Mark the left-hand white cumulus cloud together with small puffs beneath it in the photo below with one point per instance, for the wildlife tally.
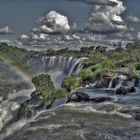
(53, 23)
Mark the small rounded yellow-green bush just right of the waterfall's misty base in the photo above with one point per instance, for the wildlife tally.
(70, 83)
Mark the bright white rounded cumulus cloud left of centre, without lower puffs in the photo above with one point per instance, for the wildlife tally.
(54, 22)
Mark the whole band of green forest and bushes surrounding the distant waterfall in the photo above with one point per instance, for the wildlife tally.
(98, 63)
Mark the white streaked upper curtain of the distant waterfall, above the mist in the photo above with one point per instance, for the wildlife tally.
(69, 65)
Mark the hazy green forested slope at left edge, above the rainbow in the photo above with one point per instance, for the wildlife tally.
(16, 57)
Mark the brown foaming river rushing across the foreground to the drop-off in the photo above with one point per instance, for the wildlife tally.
(111, 120)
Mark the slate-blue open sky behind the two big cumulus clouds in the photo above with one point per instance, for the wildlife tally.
(21, 15)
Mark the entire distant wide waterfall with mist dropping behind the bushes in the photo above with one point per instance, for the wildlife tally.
(57, 66)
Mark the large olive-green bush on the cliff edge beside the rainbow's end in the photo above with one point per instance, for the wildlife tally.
(46, 90)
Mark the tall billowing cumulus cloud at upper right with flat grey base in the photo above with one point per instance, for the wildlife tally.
(107, 18)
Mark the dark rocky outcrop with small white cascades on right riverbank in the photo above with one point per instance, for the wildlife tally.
(118, 80)
